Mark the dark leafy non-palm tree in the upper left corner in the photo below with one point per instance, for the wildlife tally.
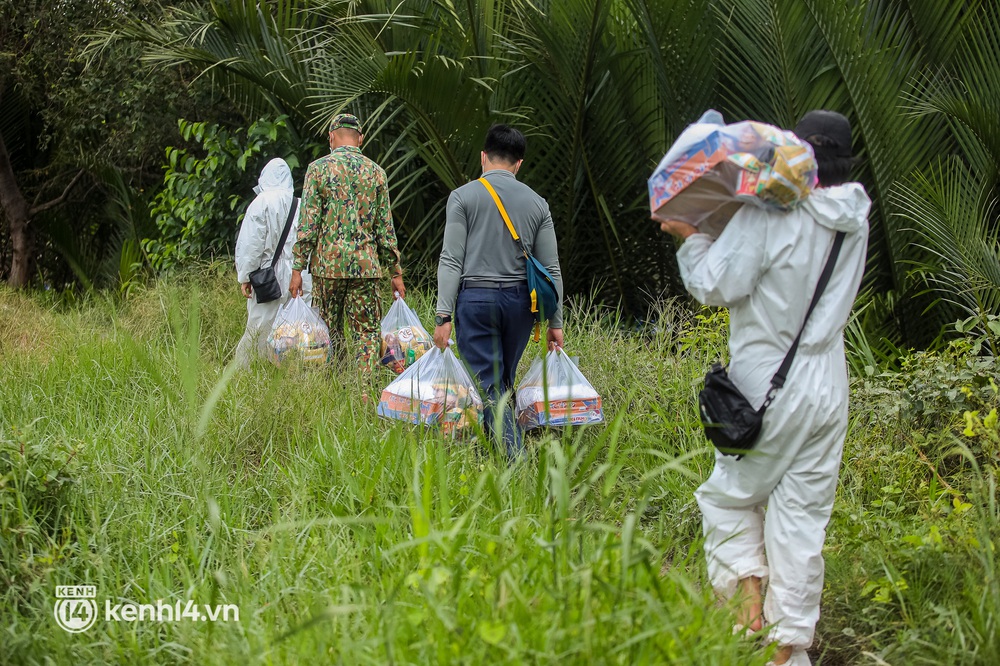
(85, 137)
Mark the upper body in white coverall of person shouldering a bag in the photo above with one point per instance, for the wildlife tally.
(776, 262)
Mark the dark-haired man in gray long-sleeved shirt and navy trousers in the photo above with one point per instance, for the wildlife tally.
(482, 275)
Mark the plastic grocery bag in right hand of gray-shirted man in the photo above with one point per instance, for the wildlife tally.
(557, 394)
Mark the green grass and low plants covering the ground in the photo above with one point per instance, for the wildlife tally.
(133, 459)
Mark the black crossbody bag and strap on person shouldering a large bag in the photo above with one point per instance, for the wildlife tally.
(730, 421)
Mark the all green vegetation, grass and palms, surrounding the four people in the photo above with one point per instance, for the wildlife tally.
(134, 459)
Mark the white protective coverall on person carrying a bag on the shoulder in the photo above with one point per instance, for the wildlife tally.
(764, 267)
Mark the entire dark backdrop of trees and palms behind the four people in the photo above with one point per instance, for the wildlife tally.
(601, 87)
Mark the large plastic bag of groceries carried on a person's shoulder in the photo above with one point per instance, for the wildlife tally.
(713, 168)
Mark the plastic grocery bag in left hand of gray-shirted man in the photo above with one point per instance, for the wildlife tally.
(436, 390)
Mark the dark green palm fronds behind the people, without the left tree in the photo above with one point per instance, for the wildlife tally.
(603, 86)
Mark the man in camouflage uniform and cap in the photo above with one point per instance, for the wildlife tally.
(346, 239)
